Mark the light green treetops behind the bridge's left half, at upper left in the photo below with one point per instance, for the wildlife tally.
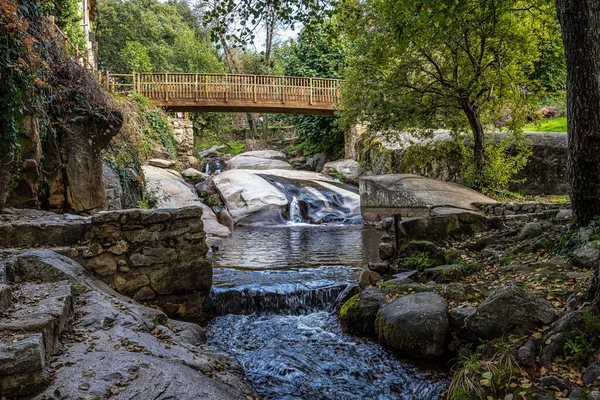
(152, 35)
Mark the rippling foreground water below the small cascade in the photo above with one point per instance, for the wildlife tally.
(309, 357)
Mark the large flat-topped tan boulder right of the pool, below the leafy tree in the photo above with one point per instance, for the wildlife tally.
(414, 196)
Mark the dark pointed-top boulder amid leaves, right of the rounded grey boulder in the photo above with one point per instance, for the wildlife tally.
(509, 310)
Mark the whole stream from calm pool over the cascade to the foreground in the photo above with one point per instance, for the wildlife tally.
(274, 289)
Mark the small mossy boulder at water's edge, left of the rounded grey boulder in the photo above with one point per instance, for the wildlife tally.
(359, 312)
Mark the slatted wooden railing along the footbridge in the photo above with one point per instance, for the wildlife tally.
(173, 87)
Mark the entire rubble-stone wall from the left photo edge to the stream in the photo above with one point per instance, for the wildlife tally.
(154, 256)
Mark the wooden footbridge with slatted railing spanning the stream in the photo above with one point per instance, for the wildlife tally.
(231, 93)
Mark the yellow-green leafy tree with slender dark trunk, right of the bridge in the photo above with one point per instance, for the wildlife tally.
(438, 64)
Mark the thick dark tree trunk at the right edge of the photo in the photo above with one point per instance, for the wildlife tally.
(580, 22)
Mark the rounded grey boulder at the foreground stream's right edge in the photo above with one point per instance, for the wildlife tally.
(415, 325)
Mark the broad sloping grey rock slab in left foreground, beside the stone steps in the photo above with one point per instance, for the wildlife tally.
(132, 351)
